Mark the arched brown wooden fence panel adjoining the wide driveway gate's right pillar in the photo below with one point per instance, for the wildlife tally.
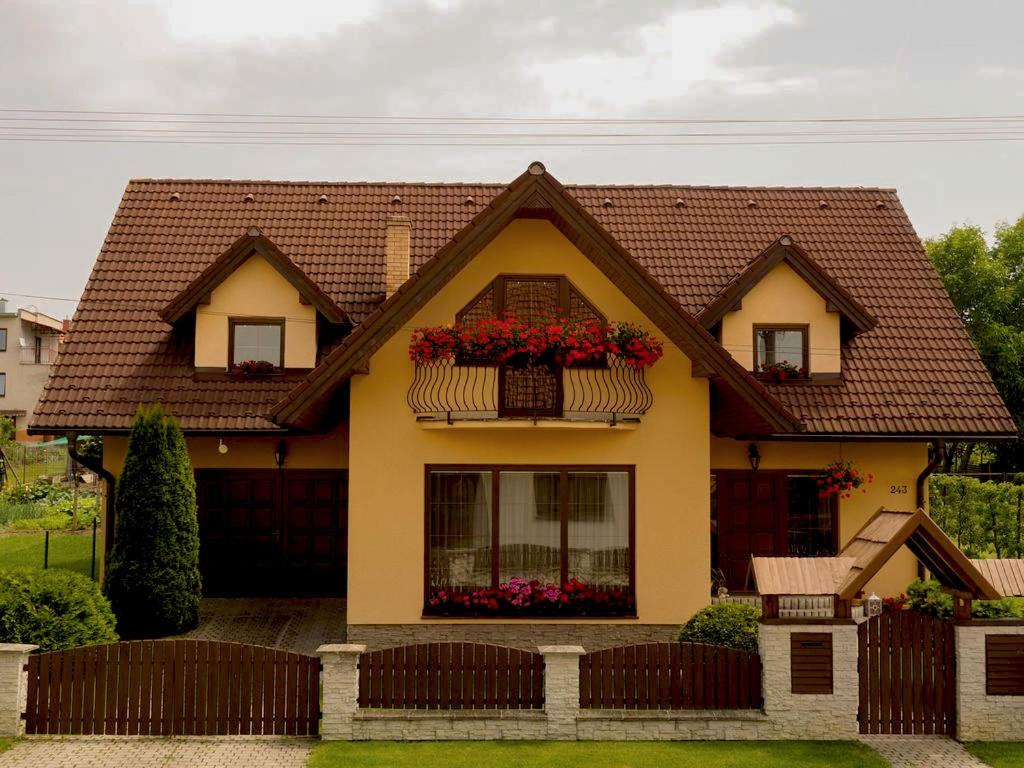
(452, 676)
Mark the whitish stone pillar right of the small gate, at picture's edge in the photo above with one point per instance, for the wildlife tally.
(982, 717)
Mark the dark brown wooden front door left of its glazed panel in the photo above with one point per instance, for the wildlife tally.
(752, 519)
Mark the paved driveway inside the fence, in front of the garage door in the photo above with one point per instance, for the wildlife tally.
(302, 625)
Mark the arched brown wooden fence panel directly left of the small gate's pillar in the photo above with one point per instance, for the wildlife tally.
(670, 676)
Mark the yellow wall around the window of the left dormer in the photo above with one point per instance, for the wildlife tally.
(255, 290)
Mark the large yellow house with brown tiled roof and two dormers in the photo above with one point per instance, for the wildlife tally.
(349, 470)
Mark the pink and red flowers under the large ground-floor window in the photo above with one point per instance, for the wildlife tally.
(531, 599)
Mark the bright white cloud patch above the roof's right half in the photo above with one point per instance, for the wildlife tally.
(662, 62)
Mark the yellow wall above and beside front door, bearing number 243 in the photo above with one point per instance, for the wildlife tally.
(895, 466)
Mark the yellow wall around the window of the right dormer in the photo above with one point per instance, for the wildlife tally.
(784, 297)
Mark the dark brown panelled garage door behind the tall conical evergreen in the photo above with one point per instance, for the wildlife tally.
(273, 532)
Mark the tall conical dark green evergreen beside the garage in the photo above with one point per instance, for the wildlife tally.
(153, 576)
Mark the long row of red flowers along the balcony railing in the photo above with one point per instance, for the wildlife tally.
(511, 342)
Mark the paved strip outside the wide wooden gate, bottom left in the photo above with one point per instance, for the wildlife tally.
(140, 752)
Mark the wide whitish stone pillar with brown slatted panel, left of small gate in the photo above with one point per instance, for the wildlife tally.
(818, 716)
